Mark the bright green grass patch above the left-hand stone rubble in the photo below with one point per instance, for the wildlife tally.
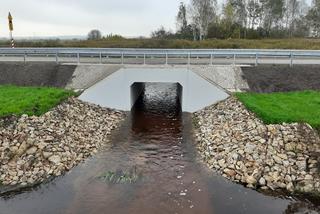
(16, 100)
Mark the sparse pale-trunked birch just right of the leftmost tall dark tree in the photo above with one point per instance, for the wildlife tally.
(202, 14)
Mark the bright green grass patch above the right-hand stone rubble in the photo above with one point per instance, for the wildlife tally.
(288, 107)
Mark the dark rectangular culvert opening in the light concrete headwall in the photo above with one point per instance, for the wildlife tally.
(157, 98)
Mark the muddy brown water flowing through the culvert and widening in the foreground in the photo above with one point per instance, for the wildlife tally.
(156, 142)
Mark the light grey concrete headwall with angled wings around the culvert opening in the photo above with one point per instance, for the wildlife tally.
(115, 92)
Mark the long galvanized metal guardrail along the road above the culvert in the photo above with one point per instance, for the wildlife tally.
(188, 54)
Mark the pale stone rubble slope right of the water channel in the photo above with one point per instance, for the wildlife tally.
(232, 141)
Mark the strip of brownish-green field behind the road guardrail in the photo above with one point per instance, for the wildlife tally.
(310, 44)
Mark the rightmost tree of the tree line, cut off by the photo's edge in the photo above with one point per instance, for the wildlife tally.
(314, 17)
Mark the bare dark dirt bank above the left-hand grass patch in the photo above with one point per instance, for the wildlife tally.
(36, 74)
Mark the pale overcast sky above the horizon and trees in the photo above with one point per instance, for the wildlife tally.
(77, 17)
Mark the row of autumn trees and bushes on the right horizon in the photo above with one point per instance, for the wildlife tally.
(248, 19)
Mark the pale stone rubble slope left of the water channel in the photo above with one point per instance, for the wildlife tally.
(33, 149)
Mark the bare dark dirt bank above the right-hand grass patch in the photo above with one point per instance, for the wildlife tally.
(282, 78)
